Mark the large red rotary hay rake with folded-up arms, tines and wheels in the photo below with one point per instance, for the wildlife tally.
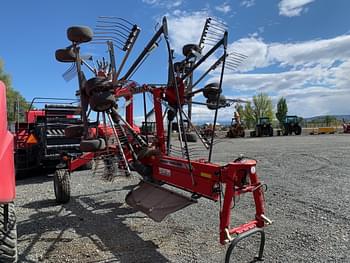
(159, 162)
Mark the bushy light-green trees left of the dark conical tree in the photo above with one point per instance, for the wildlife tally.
(260, 107)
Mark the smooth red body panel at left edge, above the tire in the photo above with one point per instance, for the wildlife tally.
(7, 173)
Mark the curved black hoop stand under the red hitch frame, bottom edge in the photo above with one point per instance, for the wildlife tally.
(244, 235)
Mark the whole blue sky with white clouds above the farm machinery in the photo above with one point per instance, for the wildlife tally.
(299, 49)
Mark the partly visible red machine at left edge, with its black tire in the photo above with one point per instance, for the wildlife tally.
(8, 233)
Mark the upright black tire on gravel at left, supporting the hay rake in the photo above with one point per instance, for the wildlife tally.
(61, 184)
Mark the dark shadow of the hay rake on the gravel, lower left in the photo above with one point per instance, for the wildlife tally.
(87, 229)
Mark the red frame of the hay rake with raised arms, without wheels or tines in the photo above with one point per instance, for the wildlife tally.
(200, 177)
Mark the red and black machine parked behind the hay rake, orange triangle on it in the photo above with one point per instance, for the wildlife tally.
(40, 140)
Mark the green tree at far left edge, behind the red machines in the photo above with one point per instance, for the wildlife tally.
(13, 97)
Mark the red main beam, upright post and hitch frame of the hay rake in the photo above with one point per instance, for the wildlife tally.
(207, 179)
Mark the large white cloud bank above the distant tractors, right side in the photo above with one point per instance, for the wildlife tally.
(312, 75)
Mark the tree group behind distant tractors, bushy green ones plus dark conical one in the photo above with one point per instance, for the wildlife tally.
(261, 106)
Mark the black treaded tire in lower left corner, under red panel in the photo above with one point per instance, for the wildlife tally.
(8, 237)
